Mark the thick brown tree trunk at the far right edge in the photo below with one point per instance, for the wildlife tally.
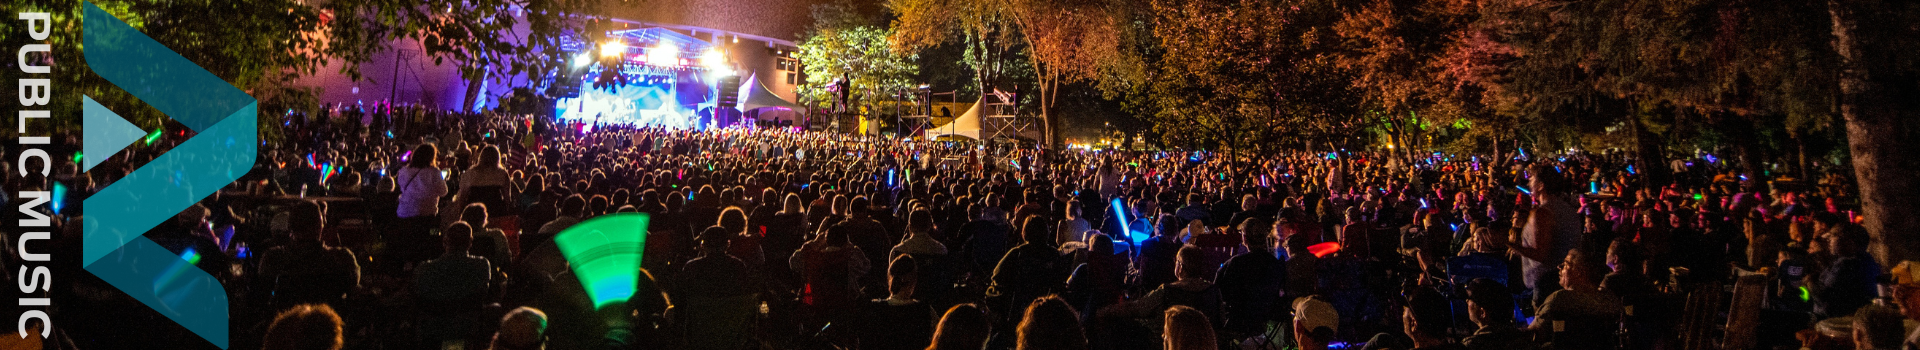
(1877, 103)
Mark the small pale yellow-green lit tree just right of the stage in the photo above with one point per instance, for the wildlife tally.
(842, 45)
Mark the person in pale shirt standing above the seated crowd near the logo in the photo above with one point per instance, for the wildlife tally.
(421, 184)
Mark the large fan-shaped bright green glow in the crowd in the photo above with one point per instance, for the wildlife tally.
(606, 255)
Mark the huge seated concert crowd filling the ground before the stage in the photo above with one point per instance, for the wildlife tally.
(444, 237)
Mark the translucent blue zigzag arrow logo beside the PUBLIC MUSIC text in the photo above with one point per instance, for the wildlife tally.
(224, 149)
